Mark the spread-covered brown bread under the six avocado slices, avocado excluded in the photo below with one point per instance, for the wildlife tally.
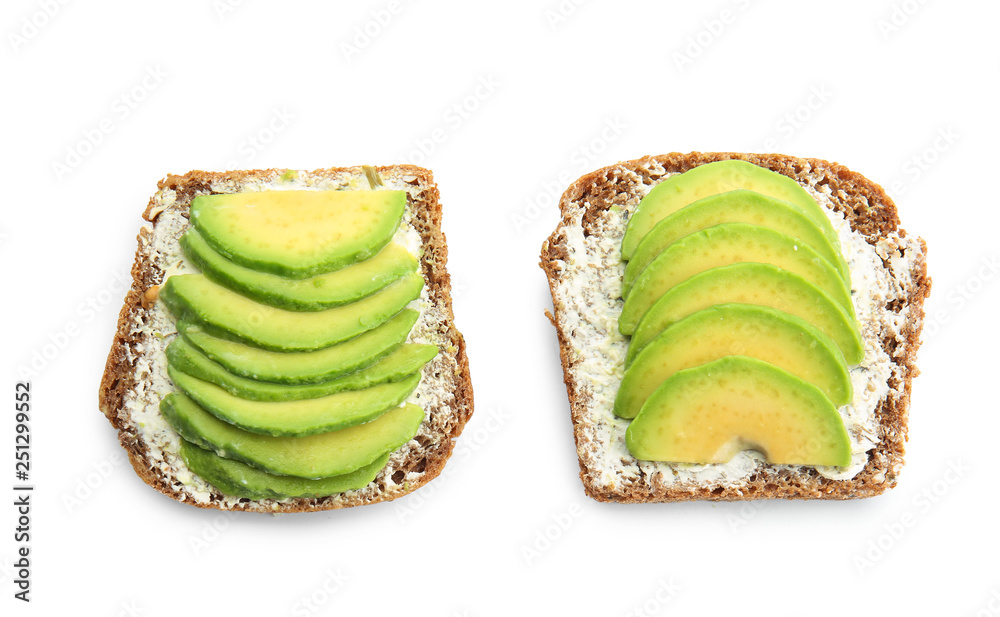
(582, 260)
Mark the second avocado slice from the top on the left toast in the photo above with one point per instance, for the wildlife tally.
(348, 284)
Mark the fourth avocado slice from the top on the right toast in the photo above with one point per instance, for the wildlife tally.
(752, 283)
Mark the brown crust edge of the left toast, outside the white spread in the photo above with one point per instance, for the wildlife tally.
(418, 462)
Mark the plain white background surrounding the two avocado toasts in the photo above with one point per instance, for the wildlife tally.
(122, 93)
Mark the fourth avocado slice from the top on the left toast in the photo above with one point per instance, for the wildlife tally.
(305, 366)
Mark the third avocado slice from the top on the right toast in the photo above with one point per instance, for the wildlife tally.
(723, 245)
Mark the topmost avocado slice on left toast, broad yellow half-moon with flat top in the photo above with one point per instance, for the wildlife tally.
(298, 234)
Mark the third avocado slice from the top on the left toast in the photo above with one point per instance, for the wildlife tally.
(227, 314)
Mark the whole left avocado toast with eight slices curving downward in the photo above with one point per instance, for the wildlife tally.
(288, 342)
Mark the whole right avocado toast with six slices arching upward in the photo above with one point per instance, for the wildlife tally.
(735, 326)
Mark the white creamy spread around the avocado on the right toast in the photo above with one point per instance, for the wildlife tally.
(589, 287)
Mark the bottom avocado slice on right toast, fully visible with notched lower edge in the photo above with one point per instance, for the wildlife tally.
(709, 413)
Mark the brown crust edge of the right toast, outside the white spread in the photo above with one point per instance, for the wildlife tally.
(869, 211)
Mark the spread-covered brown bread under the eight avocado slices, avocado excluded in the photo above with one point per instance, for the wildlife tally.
(135, 378)
